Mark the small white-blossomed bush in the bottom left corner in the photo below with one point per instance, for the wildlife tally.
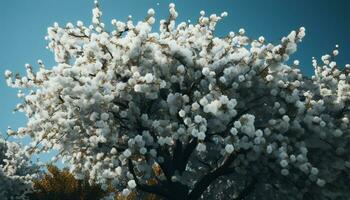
(16, 171)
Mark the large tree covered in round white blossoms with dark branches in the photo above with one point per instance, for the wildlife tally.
(213, 113)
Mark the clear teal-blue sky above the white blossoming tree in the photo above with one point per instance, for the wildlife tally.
(23, 25)
